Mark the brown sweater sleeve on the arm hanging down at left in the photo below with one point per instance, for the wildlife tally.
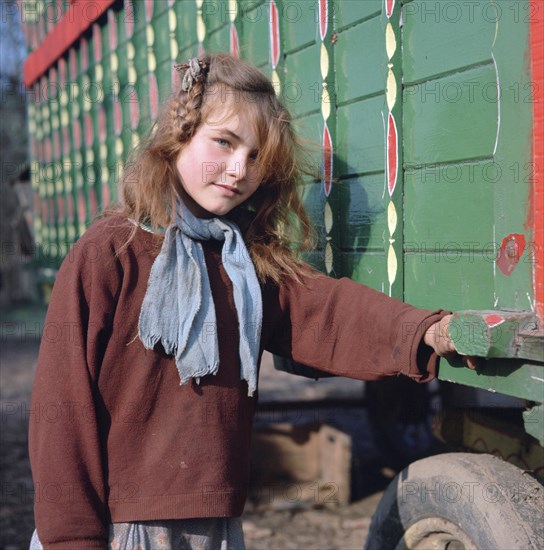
(65, 445)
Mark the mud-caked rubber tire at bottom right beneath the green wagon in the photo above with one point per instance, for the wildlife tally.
(460, 501)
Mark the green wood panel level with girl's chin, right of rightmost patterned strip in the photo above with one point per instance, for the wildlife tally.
(459, 194)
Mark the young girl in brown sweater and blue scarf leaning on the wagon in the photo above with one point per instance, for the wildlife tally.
(144, 397)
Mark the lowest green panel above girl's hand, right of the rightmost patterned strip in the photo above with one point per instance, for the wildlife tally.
(438, 275)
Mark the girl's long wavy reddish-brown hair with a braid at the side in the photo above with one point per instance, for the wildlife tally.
(274, 223)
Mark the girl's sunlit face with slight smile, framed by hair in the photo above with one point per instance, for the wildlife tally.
(218, 168)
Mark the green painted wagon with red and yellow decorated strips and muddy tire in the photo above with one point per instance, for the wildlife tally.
(429, 117)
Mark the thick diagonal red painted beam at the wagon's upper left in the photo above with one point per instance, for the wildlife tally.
(77, 19)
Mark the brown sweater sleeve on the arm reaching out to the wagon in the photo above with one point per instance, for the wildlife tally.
(347, 329)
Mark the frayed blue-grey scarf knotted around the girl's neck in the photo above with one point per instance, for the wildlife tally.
(178, 309)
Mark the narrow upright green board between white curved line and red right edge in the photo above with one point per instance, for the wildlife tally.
(514, 150)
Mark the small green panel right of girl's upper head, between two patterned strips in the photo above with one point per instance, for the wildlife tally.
(301, 82)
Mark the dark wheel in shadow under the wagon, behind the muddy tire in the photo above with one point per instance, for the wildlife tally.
(400, 413)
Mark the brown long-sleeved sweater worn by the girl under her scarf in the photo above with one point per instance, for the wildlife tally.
(113, 435)
